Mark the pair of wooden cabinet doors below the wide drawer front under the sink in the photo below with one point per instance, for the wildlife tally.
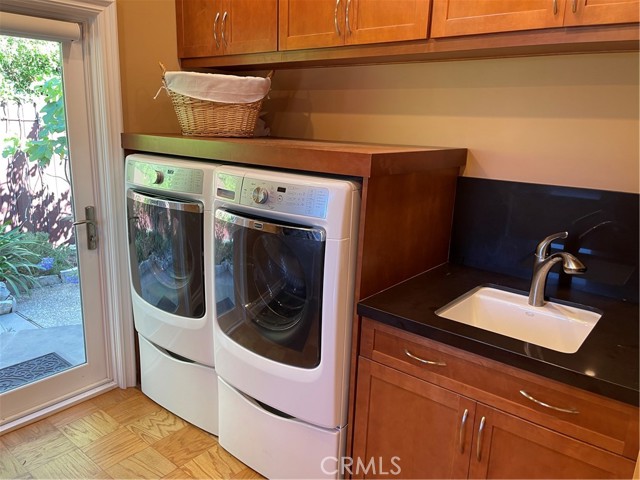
(409, 427)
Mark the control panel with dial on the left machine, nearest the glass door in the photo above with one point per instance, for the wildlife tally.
(164, 177)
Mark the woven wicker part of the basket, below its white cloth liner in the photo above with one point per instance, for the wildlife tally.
(212, 119)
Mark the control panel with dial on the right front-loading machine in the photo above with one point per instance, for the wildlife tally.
(306, 200)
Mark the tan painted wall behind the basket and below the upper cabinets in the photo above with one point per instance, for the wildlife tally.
(563, 120)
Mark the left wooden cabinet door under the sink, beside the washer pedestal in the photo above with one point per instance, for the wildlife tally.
(408, 428)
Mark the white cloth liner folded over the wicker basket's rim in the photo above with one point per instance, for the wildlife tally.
(218, 88)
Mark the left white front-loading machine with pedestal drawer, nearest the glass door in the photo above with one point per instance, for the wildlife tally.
(170, 225)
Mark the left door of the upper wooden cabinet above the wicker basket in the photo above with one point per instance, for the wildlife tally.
(195, 27)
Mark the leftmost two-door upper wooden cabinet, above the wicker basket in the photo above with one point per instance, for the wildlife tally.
(225, 27)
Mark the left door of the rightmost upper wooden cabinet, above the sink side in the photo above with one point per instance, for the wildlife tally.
(467, 17)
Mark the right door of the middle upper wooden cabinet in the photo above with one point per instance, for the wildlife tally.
(377, 21)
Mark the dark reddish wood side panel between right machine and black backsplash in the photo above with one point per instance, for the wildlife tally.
(407, 228)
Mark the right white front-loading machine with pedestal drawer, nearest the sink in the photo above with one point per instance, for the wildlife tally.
(284, 255)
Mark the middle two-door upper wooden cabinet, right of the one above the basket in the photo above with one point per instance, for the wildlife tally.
(327, 23)
